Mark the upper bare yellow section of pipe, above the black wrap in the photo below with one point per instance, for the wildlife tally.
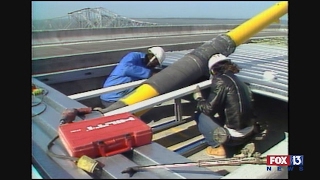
(247, 29)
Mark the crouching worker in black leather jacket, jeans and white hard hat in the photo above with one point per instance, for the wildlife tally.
(226, 117)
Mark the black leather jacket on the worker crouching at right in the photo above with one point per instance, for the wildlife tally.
(231, 99)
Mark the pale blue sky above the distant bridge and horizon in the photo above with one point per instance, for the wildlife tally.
(156, 9)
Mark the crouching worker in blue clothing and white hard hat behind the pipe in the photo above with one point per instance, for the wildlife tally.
(132, 67)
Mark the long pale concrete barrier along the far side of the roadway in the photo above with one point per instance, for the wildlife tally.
(86, 35)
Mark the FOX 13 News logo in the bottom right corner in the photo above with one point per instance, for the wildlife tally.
(293, 162)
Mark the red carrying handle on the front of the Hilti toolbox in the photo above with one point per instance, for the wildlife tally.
(127, 147)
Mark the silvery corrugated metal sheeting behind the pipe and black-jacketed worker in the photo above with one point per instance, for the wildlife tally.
(254, 60)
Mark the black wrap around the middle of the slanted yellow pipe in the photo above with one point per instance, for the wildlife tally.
(192, 66)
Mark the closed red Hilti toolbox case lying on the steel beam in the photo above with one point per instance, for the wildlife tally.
(104, 136)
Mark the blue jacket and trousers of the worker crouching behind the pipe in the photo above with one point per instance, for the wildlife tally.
(130, 68)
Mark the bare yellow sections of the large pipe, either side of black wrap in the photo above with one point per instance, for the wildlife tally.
(238, 35)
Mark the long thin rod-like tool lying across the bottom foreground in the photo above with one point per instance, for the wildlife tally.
(234, 161)
